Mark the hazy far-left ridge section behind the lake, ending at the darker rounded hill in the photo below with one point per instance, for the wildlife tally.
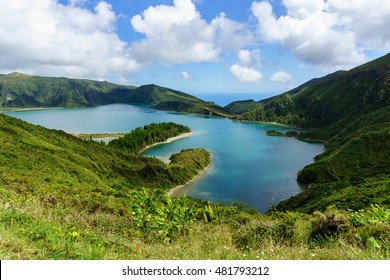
(23, 91)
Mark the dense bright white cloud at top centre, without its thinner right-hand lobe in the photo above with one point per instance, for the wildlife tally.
(174, 34)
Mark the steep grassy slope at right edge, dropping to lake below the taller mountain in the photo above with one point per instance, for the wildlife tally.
(360, 150)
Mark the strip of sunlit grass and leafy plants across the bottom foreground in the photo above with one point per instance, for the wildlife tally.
(158, 227)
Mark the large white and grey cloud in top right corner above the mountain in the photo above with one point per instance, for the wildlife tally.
(330, 34)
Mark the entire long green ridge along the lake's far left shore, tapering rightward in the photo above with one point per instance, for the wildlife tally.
(26, 91)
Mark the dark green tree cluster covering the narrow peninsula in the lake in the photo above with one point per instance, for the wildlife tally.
(140, 138)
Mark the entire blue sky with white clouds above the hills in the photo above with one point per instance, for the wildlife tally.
(253, 48)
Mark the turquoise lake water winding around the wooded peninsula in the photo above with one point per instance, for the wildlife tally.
(247, 165)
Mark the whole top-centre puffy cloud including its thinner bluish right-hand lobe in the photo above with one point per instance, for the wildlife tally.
(178, 34)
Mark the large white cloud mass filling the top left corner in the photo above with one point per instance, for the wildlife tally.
(45, 37)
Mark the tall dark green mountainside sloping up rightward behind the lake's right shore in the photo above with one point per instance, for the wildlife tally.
(325, 101)
